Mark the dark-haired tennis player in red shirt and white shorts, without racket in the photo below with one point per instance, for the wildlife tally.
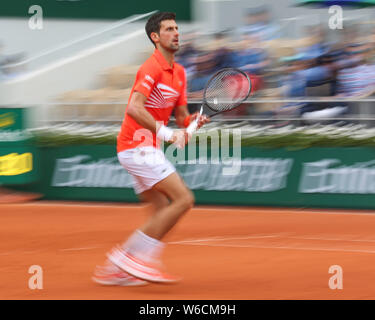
(159, 89)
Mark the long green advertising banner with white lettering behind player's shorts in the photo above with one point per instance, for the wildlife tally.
(314, 177)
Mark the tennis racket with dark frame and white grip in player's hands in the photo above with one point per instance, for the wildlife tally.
(225, 90)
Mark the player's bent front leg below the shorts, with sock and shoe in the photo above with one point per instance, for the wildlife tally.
(140, 254)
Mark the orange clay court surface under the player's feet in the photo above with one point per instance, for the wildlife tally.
(221, 253)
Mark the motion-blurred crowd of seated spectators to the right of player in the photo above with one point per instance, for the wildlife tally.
(312, 67)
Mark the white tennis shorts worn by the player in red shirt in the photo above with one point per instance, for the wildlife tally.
(147, 165)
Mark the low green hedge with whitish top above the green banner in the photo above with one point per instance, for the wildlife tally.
(251, 136)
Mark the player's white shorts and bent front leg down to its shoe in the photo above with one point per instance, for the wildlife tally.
(158, 183)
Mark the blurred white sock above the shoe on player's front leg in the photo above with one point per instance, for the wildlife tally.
(144, 247)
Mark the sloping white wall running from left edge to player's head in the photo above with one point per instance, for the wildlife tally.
(80, 70)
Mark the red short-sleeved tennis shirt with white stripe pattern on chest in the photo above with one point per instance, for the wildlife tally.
(165, 88)
